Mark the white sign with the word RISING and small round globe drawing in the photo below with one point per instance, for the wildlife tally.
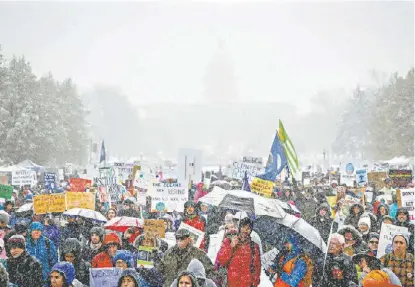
(167, 197)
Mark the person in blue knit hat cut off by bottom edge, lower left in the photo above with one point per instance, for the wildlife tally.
(62, 274)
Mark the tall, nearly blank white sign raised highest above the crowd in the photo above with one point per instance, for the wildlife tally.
(190, 165)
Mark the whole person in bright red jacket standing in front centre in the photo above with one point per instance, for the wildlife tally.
(241, 256)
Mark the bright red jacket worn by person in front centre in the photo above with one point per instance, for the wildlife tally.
(239, 264)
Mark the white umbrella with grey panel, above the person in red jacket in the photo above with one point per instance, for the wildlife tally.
(241, 200)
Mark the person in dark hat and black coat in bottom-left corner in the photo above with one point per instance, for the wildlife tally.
(24, 269)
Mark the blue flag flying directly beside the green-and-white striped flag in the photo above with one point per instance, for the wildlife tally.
(276, 161)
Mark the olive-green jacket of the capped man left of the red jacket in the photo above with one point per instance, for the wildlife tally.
(175, 260)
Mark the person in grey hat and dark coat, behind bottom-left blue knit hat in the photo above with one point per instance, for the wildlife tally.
(71, 252)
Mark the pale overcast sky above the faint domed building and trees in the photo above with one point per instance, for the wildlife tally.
(159, 52)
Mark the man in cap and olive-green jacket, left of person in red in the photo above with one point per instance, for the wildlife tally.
(177, 258)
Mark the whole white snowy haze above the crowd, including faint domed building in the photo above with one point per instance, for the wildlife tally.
(155, 77)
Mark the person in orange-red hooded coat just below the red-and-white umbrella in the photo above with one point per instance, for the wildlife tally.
(110, 245)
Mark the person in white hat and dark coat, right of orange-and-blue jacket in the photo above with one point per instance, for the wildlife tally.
(339, 269)
